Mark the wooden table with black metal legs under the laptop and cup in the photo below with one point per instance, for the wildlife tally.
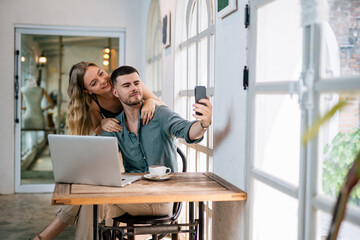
(189, 187)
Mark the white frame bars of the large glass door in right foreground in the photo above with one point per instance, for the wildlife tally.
(309, 201)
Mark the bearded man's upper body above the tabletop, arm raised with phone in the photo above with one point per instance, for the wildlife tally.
(154, 143)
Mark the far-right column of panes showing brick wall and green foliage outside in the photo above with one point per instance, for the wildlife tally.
(337, 142)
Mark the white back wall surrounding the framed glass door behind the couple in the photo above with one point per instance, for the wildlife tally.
(131, 15)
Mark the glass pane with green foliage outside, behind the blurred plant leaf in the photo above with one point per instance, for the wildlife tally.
(339, 142)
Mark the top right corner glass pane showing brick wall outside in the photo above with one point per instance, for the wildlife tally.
(342, 38)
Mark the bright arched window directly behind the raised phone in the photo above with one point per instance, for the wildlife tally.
(194, 66)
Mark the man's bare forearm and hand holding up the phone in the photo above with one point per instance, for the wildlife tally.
(198, 129)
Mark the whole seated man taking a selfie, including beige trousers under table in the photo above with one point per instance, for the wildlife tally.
(144, 145)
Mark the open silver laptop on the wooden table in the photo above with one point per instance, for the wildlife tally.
(87, 160)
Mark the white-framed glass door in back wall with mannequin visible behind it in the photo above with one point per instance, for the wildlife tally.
(44, 58)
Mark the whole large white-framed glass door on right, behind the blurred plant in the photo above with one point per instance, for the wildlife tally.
(301, 66)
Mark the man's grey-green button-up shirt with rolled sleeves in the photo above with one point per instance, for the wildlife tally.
(155, 142)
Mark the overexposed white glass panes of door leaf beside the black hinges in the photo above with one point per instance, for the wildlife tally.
(275, 119)
